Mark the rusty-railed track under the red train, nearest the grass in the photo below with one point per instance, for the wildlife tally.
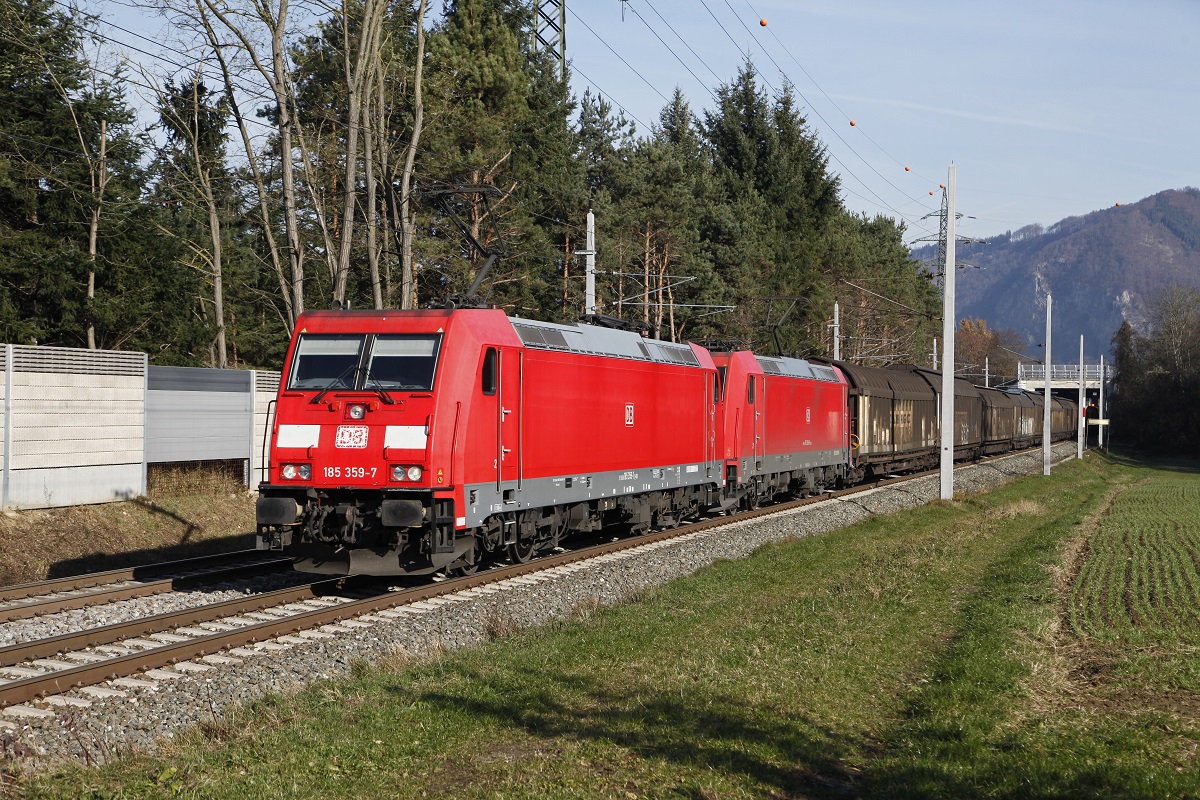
(197, 640)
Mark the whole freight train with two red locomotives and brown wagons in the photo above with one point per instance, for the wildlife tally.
(422, 442)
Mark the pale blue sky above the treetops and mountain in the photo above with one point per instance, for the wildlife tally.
(1048, 110)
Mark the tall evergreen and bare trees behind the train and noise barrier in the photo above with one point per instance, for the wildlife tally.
(377, 154)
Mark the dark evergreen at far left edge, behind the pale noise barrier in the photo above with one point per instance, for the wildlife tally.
(57, 119)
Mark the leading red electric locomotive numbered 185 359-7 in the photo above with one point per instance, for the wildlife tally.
(425, 441)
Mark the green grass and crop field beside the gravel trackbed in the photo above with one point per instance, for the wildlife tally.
(945, 653)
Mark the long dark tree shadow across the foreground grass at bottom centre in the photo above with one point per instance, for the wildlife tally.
(779, 755)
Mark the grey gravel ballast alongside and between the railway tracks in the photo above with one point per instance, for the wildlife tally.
(141, 717)
